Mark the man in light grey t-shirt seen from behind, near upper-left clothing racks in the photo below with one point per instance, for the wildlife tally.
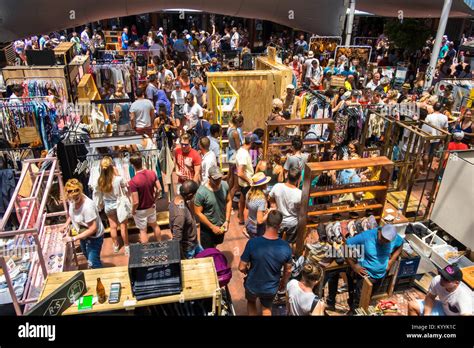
(142, 113)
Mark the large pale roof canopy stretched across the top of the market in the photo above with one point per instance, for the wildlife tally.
(21, 18)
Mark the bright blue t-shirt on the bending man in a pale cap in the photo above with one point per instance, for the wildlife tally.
(376, 256)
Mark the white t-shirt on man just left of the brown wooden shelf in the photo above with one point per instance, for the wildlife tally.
(288, 202)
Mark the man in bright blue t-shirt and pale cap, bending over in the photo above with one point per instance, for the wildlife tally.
(381, 247)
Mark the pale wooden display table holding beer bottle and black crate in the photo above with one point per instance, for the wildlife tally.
(198, 275)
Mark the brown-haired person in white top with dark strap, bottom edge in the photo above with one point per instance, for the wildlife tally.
(301, 300)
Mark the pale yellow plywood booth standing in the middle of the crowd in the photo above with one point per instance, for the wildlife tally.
(256, 88)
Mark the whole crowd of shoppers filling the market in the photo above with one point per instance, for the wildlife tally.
(172, 110)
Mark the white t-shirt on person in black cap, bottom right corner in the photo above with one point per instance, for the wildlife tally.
(458, 302)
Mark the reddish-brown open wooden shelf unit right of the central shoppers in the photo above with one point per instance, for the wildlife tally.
(311, 213)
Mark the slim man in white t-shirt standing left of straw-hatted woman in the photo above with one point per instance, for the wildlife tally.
(245, 171)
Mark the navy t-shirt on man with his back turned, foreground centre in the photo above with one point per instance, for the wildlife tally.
(266, 258)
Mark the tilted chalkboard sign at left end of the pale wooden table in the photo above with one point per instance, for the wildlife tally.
(62, 298)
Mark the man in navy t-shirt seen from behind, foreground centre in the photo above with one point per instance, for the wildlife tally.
(262, 262)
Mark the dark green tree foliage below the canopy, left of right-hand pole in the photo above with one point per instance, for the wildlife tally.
(411, 34)
